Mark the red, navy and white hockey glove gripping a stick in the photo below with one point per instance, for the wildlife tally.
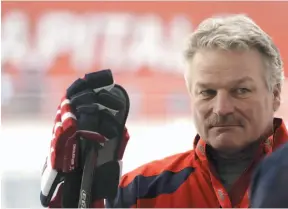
(93, 112)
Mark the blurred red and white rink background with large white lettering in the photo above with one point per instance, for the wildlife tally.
(47, 45)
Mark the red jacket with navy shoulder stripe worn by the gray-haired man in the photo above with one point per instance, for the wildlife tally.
(187, 180)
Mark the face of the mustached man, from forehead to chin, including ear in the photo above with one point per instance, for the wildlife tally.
(232, 105)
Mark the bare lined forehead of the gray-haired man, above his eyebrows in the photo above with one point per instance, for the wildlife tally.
(223, 68)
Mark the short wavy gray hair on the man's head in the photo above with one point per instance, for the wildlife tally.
(236, 32)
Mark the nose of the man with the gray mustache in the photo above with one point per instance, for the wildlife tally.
(223, 103)
